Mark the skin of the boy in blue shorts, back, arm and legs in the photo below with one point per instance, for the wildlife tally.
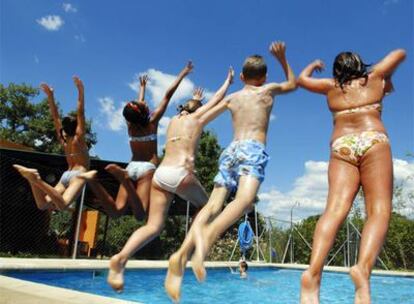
(250, 109)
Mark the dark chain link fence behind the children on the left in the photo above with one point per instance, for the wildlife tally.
(26, 231)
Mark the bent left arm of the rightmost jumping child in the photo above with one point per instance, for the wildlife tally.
(321, 85)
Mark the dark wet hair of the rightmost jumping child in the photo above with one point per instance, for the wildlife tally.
(348, 66)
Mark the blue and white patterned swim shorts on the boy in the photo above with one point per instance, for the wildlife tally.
(244, 157)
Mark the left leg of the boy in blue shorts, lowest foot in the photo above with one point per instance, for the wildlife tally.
(179, 259)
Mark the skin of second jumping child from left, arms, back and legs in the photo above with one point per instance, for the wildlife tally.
(136, 194)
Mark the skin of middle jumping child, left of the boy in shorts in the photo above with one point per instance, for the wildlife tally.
(182, 139)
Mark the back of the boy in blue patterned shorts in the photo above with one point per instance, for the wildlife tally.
(250, 109)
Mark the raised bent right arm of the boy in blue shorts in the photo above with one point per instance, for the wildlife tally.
(278, 50)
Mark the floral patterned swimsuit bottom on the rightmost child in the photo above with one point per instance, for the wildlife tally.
(352, 147)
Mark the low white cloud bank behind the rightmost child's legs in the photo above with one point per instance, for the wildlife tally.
(311, 190)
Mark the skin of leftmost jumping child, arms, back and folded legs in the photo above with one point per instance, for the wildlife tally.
(76, 152)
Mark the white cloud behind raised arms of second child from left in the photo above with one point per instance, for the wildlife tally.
(159, 82)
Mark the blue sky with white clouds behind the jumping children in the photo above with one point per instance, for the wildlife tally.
(109, 43)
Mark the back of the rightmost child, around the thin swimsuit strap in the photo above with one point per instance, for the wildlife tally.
(358, 93)
